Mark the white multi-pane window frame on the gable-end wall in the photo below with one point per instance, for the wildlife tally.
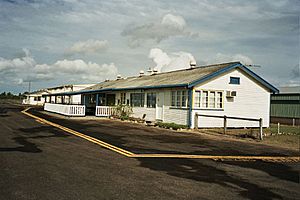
(198, 103)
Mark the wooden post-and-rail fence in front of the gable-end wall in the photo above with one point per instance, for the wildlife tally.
(227, 117)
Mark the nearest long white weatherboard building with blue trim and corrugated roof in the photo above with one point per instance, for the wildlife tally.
(229, 89)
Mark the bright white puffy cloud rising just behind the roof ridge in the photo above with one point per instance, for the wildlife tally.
(171, 62)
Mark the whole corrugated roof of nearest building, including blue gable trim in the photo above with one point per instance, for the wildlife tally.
(180, 78)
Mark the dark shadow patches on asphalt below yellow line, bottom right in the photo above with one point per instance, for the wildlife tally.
(209, 172)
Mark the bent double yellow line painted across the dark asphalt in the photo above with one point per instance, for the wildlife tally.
(184, 156)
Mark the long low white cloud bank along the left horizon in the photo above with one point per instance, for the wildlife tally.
(25, 69)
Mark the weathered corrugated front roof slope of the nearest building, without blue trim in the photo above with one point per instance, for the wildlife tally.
(168, 79)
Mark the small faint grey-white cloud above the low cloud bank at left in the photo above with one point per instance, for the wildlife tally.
(88, 46)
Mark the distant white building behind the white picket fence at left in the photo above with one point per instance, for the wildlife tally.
(38, 98)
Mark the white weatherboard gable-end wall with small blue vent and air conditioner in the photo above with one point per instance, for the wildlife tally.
(252, 101)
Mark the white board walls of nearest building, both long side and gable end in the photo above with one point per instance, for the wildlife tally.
(252, 101)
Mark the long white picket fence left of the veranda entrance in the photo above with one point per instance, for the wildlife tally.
(68, 110)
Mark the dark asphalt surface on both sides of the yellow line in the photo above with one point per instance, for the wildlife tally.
(38, 161)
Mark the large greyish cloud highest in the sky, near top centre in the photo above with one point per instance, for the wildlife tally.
(170, 25)
